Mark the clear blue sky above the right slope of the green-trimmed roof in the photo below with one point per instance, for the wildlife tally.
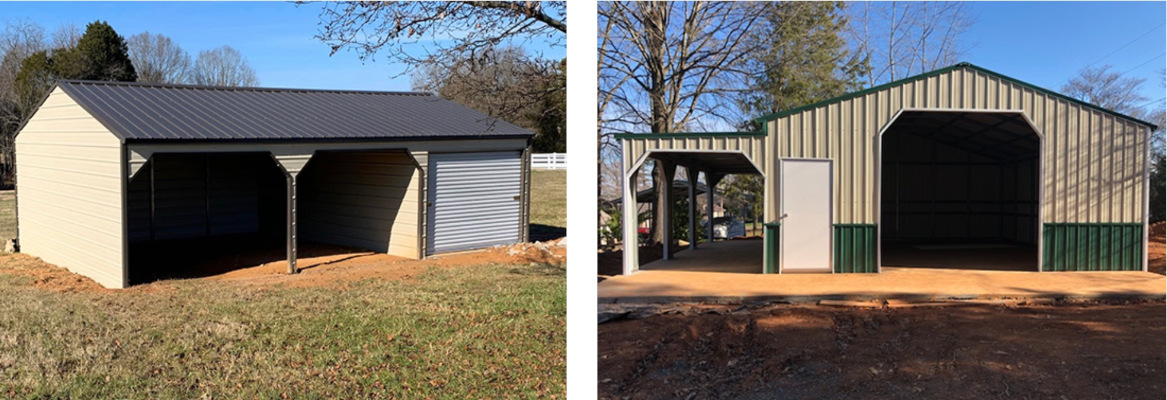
(1046, 44)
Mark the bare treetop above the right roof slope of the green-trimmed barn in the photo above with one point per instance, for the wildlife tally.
(1110, 90)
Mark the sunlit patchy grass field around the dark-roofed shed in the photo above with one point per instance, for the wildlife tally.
(494, 331)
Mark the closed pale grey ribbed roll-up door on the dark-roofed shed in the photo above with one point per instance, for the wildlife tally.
(474, 201)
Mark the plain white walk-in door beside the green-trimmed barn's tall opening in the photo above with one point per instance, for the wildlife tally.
(806, 202)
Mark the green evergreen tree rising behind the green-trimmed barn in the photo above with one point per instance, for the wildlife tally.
(805, 59)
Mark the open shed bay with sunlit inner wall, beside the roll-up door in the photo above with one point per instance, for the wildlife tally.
(362, 200)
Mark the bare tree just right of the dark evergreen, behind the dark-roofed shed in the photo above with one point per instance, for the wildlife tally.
(158, 59)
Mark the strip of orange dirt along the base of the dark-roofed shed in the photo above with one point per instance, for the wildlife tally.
(320, 266)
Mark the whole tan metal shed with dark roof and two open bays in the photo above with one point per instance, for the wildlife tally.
(108, 172)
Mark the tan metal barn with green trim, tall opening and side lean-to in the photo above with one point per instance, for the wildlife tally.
(960, 160)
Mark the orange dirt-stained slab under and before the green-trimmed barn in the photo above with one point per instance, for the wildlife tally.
(718, 275)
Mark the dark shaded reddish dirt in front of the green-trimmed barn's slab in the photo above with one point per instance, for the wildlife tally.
(1063, 352)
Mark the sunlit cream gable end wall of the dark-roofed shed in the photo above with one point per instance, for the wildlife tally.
(69, 192)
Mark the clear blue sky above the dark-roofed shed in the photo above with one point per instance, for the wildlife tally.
(277, 38)
